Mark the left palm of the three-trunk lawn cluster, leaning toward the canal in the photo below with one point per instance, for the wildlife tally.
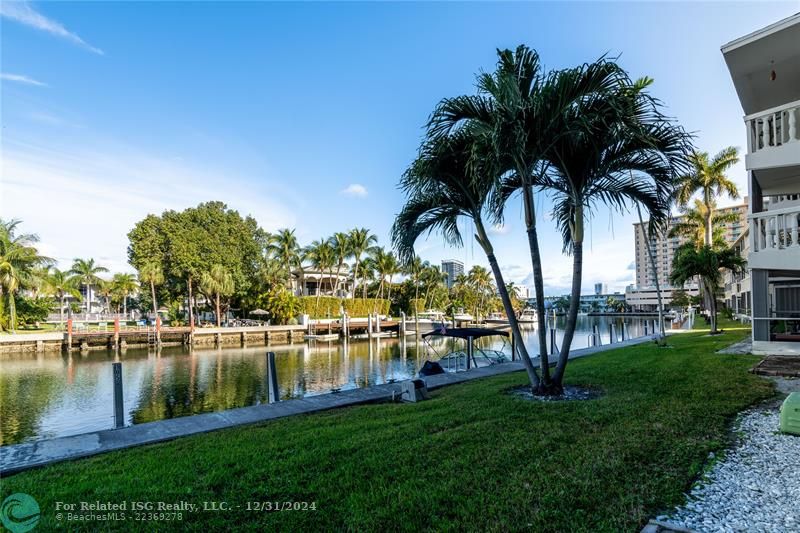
(452, 178)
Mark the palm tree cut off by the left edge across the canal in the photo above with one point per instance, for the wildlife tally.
(19, 262)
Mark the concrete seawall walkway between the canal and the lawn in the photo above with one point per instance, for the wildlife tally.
(18, 457)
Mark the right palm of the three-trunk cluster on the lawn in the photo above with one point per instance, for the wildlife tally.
(619, 150)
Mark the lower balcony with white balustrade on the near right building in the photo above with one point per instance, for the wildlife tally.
(775, 239)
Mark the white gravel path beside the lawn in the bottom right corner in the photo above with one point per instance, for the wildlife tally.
(755, 487)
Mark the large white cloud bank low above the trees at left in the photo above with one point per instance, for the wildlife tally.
(83, 201)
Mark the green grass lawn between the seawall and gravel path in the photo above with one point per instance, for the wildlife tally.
(471, 458)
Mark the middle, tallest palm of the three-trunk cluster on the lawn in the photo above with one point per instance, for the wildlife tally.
(520, 109)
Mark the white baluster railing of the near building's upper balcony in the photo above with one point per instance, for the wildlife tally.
(773, 128)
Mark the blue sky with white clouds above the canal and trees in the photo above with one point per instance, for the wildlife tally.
(305, 115)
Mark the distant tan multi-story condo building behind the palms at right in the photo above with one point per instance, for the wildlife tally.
(664, 246)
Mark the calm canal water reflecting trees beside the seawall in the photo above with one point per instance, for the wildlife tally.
(51, 395)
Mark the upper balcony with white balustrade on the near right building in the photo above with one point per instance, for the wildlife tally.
(773, 137)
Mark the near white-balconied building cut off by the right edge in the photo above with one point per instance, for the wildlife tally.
(765, 69)
